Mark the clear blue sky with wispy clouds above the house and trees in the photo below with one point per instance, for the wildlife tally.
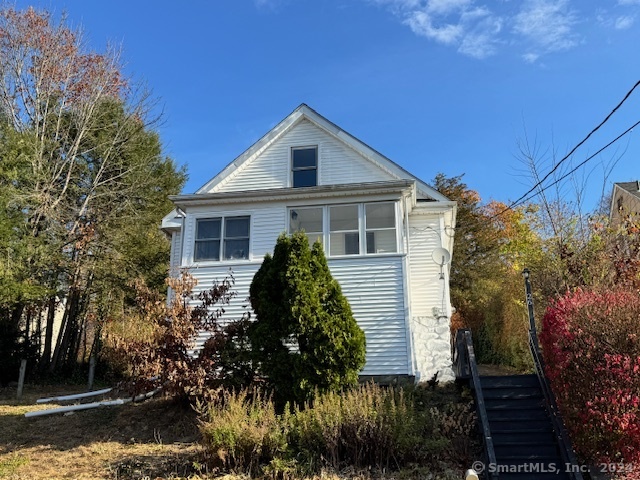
(451, 86)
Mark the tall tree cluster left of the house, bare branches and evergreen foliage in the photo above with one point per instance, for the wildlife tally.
(86, 166)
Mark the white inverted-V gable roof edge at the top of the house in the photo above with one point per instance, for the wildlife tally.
(304, 112)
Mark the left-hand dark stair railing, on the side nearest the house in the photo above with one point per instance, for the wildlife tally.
(466, 368)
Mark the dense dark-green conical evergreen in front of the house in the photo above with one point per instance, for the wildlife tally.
(304, 336)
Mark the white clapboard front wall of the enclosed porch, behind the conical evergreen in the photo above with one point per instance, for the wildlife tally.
(374, 285)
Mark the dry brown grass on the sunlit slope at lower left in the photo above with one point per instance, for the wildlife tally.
(156, 439)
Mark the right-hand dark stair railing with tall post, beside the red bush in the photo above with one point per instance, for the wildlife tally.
(562, 437)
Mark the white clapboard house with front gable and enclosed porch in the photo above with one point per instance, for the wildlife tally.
(387, 236)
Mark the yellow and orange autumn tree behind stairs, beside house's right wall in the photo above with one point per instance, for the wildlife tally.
(492, 246)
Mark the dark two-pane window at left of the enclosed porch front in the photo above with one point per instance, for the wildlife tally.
(222, 237)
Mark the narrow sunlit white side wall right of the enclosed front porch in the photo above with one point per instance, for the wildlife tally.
(429, 300)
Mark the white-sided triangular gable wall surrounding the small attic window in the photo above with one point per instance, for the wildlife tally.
(337, 163)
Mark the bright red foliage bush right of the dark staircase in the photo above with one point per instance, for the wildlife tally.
(591, 347)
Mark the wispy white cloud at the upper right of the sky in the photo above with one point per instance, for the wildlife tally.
(478, 29)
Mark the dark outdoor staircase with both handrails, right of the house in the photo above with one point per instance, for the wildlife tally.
(522, 432)
